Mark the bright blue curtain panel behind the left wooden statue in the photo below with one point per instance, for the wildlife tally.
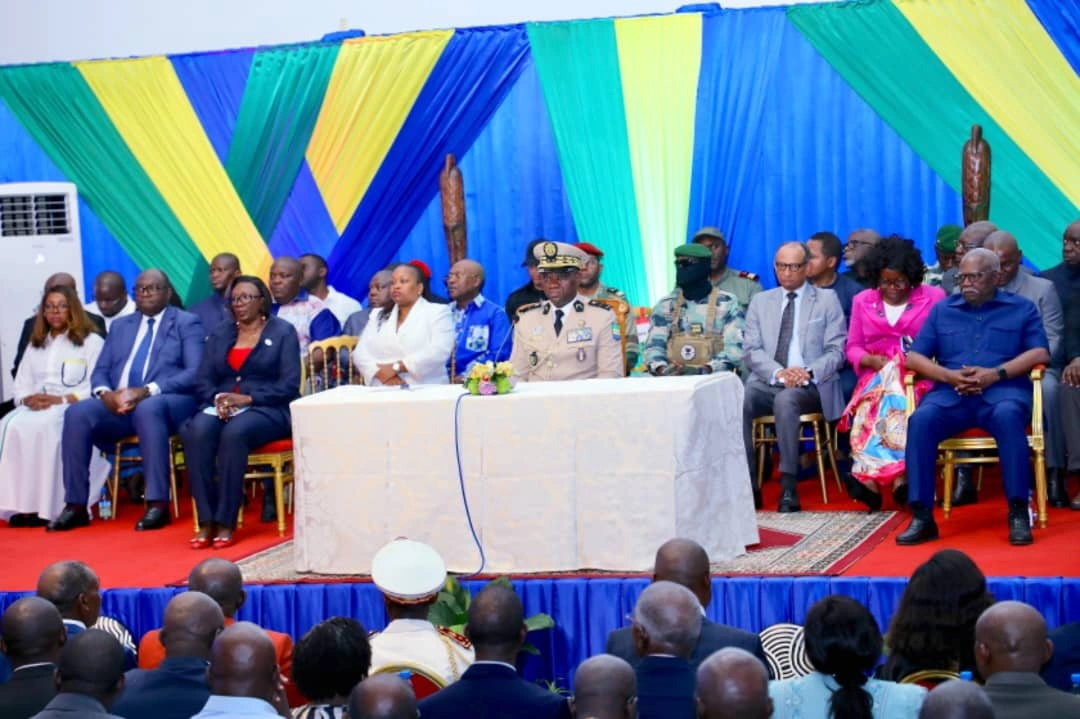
(515, 194)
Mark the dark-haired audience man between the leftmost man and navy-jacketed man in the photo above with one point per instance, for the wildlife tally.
(90, 676)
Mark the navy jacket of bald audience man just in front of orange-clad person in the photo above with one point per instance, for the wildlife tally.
(178, 689)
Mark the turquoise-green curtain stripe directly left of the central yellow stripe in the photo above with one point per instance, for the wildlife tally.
(578, 65)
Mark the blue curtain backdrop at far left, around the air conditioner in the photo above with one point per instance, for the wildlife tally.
(22, 160)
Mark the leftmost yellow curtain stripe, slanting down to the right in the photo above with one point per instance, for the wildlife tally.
(148, 106)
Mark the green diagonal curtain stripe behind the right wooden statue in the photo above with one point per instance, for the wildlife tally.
(888, 64)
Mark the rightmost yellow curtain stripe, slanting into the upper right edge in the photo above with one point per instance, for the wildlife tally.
(1002, 55)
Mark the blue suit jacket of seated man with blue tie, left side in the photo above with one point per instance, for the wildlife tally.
(174, 357)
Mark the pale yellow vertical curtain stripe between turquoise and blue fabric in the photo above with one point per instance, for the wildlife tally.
(660, 61)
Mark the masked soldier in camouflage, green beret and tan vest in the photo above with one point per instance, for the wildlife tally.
(697, 330)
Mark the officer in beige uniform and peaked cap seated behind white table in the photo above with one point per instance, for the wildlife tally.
(566, 336)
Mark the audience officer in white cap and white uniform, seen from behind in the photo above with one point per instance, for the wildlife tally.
(411, 575)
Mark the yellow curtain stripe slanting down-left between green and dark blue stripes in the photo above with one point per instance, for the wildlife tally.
(372, 91)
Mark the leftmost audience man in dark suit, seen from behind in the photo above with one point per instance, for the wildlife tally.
(33, 639)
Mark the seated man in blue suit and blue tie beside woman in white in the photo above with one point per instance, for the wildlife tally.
(143, 385)
